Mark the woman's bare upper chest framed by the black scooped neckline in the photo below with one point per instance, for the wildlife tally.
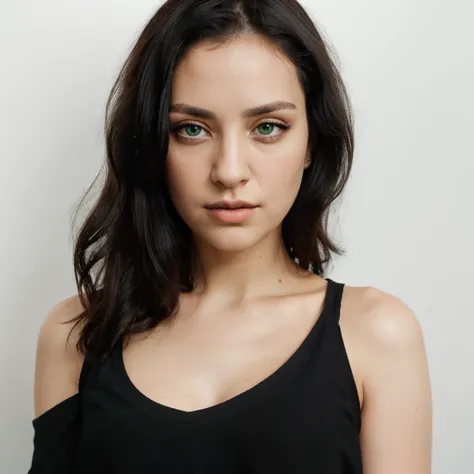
(200, 360)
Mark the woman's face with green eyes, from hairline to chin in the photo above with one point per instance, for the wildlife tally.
(239, 138)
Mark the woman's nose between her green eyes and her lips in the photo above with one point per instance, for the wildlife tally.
(230, 167)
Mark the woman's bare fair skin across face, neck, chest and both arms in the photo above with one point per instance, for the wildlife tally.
(251, 301)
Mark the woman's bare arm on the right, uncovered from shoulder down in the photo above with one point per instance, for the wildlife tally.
(397, 409)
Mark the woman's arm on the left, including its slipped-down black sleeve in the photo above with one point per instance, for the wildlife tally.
(57, 422)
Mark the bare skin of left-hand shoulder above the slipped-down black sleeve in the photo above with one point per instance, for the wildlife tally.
(58, 363)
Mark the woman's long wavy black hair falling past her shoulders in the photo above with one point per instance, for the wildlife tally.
(133, 254)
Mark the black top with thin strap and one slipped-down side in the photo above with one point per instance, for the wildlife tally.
(302, 419)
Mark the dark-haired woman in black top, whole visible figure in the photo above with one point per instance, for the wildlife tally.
(205, 337)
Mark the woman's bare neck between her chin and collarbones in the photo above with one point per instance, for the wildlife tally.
(237, 276)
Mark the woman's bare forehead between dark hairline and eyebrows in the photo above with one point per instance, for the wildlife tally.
(245, 71)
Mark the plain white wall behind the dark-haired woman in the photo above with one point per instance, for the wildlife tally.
(406, 221)
